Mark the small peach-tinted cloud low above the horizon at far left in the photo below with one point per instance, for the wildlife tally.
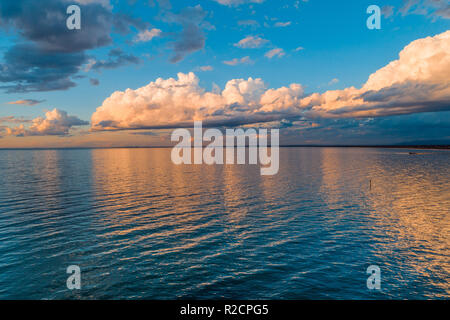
(56, 122)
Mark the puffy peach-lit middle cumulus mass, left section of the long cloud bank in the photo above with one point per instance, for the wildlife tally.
(173, 102)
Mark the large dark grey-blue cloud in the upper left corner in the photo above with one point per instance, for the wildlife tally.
(49, 55)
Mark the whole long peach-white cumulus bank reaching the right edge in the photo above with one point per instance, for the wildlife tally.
(417, 82)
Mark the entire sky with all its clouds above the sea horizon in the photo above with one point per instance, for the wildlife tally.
(135, 70)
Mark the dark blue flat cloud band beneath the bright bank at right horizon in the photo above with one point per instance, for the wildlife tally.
(423, 128)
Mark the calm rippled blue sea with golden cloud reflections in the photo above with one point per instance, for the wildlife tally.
(140, 227)
